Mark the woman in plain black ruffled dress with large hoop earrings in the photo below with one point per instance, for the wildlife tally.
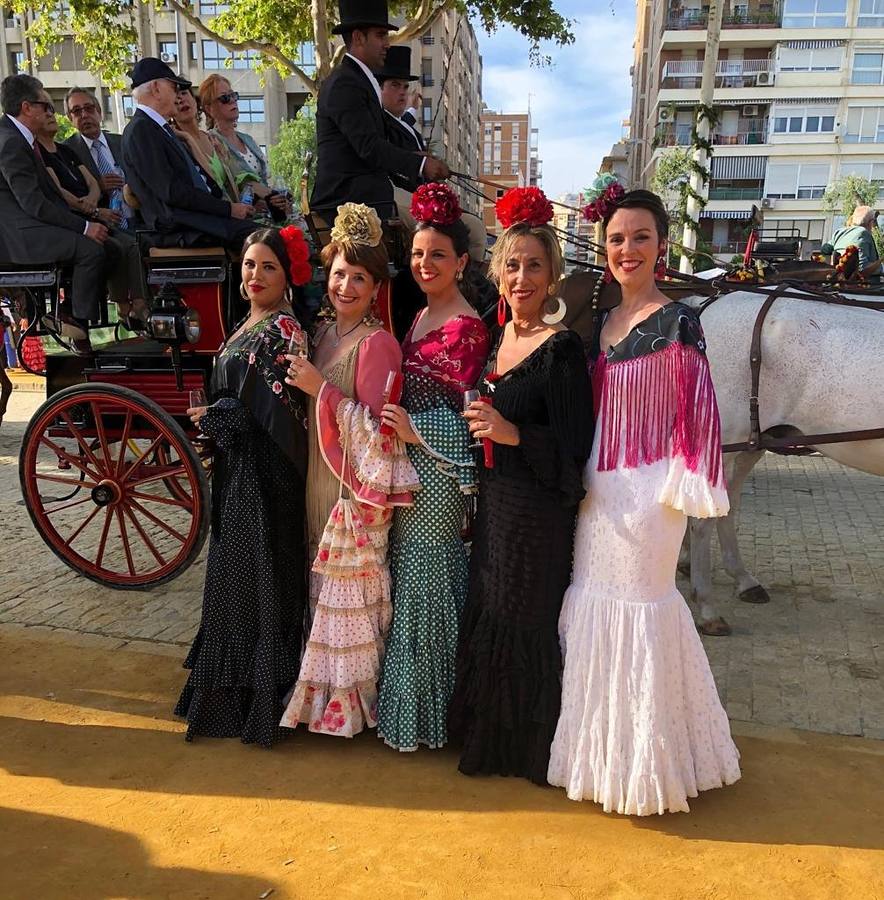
(540, 427)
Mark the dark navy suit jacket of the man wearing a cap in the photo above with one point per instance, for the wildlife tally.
(162, 176)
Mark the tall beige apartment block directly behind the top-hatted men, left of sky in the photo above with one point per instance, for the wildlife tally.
(450, 67)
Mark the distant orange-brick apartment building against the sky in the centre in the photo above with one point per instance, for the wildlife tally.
(510, 157)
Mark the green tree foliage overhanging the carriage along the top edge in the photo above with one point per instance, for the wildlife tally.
(276, 29)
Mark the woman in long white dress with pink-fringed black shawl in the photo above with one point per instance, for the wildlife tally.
(641, 727)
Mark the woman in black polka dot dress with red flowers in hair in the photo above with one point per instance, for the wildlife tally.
(245, 655)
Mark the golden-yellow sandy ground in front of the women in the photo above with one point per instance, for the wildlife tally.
(100, 797)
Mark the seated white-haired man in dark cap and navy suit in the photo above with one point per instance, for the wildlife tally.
(174, 198)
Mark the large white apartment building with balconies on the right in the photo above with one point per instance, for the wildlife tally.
(799, 95)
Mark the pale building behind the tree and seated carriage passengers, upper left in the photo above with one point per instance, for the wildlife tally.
(166, 34)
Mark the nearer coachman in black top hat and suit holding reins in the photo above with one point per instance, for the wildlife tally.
(356, 159)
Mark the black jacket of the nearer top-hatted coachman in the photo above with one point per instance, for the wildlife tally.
(355, 158)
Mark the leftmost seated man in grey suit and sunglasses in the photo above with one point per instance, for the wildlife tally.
(36, 225)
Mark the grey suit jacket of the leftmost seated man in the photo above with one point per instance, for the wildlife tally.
(29, 202)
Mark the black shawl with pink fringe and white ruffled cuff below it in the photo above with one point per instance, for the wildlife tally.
(655, 400)
